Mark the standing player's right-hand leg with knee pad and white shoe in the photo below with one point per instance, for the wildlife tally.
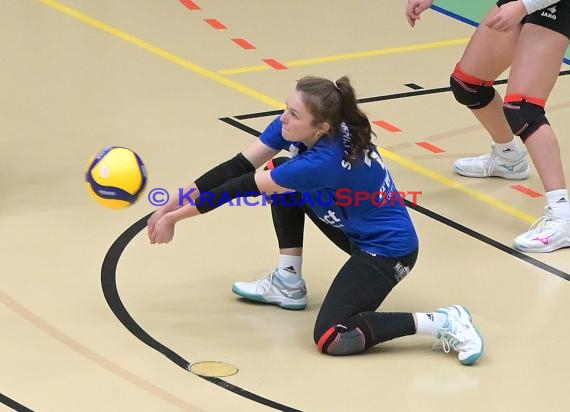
(532, 77)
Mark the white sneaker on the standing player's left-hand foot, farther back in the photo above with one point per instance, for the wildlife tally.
(492, 164)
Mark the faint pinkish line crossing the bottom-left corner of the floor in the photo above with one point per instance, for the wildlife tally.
(93, 356)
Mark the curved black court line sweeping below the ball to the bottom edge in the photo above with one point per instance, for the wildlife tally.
(111, 293)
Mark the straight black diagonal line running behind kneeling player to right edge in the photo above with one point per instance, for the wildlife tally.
(446, 221)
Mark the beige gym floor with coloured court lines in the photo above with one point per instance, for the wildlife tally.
(96, 319)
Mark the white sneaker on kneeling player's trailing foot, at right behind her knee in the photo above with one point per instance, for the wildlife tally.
(459, 334)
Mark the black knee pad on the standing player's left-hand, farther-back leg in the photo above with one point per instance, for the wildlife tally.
(471, 91)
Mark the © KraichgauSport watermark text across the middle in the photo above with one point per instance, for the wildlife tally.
(341, 197)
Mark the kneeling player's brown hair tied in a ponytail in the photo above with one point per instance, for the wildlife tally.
(334, 103)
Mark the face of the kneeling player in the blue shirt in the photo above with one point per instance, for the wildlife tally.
(298, 122)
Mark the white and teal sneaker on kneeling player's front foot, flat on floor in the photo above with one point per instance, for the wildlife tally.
(272, 289)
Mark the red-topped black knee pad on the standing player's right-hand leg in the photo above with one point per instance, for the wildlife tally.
(524, 114)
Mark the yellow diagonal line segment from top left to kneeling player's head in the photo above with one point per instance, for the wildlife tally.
(162, 53)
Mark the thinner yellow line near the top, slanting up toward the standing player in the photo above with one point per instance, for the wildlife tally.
(351, 56)
